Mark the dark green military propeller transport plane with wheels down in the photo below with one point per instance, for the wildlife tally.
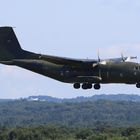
(79, 72)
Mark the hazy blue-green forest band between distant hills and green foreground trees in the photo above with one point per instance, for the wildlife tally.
(24, 113)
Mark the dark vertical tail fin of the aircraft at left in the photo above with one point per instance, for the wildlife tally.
(9, 45)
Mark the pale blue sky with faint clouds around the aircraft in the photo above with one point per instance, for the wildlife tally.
(71, 28)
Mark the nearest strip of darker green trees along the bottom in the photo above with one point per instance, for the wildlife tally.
(50, 132)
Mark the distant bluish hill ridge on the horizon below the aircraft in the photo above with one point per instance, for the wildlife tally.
(113, 97)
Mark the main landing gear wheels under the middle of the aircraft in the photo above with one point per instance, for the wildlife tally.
(86, 86)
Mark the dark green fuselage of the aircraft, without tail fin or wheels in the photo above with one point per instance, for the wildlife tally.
(110, 72)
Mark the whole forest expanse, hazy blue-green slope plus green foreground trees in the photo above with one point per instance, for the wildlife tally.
(90, 120)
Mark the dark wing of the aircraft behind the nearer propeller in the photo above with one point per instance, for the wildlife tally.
(67, 61)
